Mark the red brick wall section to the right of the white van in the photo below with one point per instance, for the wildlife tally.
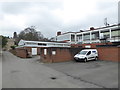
(109, 53)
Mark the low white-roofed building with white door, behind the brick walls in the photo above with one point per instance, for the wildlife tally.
(34, 46)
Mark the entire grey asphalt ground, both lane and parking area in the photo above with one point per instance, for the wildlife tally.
(31, 73)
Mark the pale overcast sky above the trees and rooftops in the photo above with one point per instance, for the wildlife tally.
(50, 16)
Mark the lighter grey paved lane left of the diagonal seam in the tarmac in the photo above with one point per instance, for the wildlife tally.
(25, 73)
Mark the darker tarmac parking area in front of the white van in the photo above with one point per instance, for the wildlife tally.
(100, 73)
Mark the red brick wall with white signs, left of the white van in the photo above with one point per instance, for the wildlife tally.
(57, 54)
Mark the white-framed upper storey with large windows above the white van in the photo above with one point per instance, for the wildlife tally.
(109, 33)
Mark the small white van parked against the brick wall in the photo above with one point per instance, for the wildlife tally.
(86, 54)
